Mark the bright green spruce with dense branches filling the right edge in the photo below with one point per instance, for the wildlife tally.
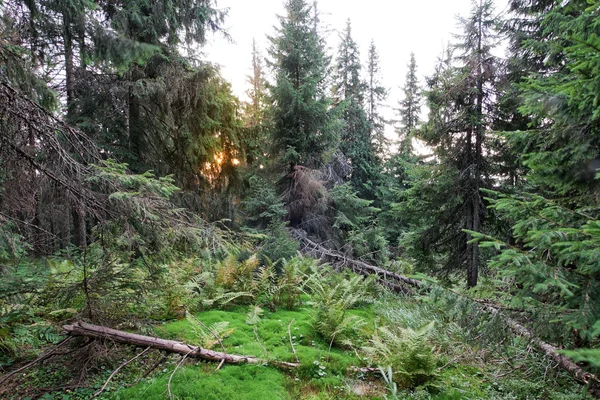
(554, 216)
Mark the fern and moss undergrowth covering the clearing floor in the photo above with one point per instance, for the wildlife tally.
(428, 346)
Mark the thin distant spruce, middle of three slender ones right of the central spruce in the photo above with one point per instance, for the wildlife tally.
(376, 96)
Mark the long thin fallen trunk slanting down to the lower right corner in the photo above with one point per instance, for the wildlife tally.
(337, 259)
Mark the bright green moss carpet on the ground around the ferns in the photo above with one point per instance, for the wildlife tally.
(323, 378)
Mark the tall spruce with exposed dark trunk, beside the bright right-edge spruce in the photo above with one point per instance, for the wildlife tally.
(459, 98)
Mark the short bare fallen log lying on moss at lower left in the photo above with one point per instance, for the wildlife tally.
(172, 346)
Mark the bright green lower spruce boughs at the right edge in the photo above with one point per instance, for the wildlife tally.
(553, 258)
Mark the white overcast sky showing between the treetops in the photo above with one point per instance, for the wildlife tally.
(398, 28)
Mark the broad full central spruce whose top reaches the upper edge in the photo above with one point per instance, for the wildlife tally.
(304, 130)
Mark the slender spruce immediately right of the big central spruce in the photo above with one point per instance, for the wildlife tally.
(349, 93)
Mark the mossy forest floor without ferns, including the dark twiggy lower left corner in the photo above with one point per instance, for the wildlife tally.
(465, 367)
